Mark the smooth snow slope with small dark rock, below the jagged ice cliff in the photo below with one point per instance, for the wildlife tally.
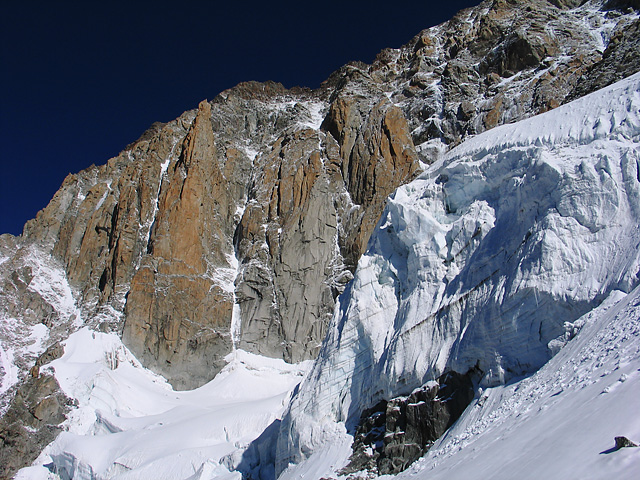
(561, 421)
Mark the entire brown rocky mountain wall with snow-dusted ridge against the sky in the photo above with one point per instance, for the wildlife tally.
(238, 224)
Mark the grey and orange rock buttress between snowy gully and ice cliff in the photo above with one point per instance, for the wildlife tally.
(314, 206)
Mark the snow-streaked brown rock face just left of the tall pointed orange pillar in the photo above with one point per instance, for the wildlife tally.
(98, 223)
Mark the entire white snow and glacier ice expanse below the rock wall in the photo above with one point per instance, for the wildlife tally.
(128, 422)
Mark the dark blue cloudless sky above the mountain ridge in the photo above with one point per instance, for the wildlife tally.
(81, 80)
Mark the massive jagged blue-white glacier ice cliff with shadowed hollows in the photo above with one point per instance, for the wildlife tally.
(484, 260)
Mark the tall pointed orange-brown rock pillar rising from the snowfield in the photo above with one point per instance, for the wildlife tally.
(177, 310)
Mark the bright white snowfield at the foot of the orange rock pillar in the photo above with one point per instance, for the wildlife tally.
(130, 423)
